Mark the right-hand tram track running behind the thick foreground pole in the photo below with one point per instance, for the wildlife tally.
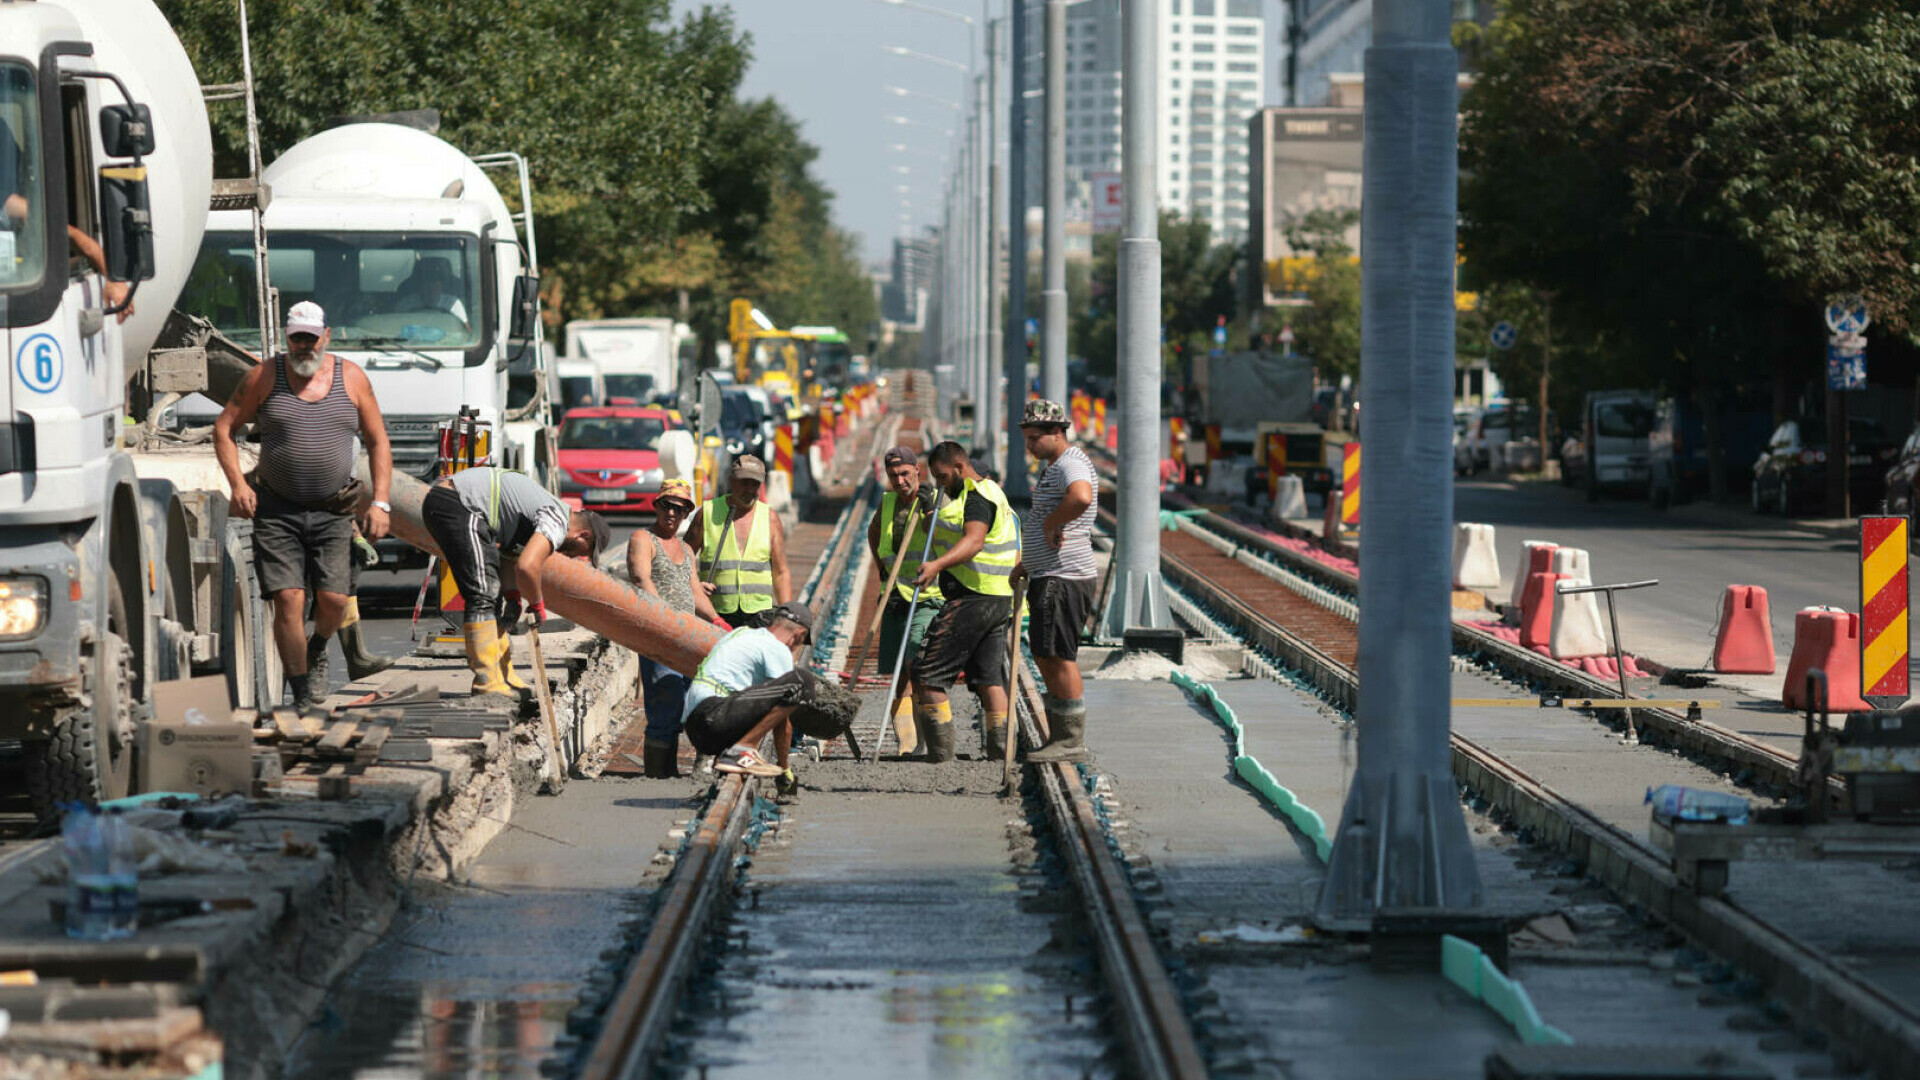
(1291, 608)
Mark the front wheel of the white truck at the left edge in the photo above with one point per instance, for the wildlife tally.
(91, 754)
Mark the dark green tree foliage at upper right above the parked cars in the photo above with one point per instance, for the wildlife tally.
(1691, 182)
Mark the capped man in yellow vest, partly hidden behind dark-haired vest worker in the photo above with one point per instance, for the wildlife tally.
(909, 497)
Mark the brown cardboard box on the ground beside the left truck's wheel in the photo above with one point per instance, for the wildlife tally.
(195, 745)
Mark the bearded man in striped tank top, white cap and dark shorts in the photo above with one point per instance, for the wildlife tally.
(308, 406)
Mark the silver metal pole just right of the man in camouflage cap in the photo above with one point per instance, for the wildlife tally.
(1138, 599)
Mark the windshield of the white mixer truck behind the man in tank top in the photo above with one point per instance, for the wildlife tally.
(418, 291)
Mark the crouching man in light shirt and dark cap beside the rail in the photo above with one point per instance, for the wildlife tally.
(746, 689)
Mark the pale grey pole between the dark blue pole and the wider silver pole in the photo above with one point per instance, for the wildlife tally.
(1055, 237)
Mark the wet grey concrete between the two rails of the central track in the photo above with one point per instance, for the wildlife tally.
(894, 935)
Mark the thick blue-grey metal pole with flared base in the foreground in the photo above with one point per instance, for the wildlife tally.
(1403, 839)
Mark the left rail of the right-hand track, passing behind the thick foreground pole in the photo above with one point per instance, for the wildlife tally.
(1875, 1027)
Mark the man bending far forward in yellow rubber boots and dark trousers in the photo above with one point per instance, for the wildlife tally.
(481, 514)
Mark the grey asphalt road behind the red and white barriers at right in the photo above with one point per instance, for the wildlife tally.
(1694, 552)
